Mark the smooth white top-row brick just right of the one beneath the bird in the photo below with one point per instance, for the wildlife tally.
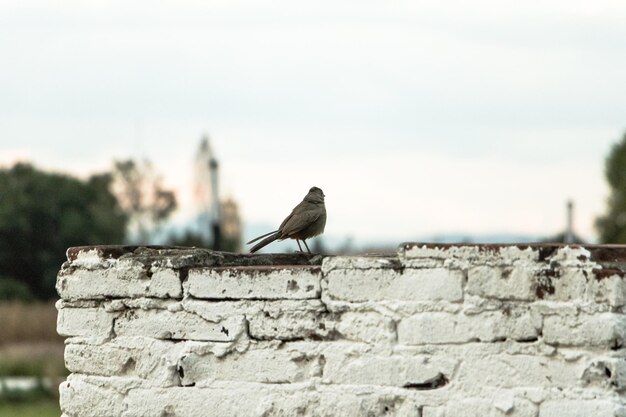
(432, 284)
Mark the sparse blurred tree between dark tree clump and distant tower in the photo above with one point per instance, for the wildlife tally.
(143, 199)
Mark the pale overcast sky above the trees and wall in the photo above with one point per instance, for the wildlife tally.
(416, 118)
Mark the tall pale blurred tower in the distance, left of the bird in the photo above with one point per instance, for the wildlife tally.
(206, 193)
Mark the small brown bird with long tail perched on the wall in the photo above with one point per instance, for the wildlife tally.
(306, 220)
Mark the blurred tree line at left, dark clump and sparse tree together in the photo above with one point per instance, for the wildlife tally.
(43, 213)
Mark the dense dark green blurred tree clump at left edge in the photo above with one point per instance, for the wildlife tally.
(42, 214)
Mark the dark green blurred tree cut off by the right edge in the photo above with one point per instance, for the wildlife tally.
(612, 226)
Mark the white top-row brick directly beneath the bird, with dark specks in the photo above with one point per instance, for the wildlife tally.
(270, 283)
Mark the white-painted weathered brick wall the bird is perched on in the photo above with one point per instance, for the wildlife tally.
(434, 331)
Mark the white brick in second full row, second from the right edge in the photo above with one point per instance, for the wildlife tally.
(441, 328)
